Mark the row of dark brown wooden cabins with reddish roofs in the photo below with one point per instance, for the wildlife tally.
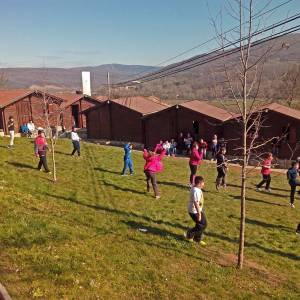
(146, 120)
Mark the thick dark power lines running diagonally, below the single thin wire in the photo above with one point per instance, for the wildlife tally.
(185, 62)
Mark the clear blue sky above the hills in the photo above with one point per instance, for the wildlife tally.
(66, 33)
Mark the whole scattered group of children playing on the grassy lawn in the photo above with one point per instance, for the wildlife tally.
(153, 165)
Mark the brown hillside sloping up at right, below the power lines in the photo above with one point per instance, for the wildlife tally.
(199, 83)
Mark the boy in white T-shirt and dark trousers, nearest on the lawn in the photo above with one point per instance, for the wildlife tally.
(196, 212)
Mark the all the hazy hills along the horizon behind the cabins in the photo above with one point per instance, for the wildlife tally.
(197, 83)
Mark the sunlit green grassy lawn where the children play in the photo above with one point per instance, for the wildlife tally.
(79, 238)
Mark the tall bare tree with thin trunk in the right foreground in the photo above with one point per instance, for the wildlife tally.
(241, 81)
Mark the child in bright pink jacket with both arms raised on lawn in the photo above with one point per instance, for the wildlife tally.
(152, 166)
